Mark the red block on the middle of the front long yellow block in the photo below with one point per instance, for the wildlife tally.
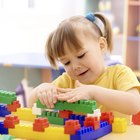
(40, 124)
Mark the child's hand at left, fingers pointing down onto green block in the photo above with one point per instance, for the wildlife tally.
(46, 93)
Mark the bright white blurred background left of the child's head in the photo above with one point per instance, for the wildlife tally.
(25, 24)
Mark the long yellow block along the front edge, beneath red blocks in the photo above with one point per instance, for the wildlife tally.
(25, 131)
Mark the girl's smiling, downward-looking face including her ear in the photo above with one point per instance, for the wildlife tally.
(87, 64)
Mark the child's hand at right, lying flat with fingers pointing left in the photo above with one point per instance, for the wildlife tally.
(72, 95)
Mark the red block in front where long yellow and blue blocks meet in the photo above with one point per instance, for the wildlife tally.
(71, 126)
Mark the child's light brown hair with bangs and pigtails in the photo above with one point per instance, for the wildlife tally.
(66, 36)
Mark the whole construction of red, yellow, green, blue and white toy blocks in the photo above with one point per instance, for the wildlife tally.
(73, 121)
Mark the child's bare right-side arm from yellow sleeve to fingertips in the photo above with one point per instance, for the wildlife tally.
(125, 102)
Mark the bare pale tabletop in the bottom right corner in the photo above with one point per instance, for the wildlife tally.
(132, 133)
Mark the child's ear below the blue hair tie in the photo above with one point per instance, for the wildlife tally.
(103, 44)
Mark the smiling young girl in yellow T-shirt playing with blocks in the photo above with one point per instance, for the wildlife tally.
(79, 43)
